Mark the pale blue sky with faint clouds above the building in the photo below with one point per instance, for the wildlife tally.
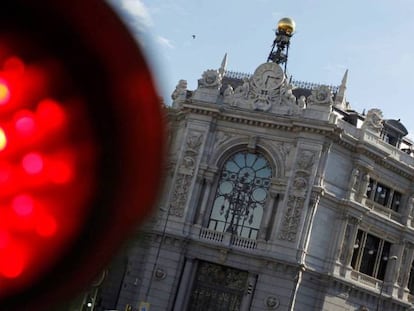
(373, 39)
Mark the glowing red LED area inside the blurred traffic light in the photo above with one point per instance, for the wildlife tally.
(44, 161)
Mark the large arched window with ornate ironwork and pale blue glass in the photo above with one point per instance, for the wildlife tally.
(241, 193)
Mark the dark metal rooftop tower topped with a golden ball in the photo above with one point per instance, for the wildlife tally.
(285, 30)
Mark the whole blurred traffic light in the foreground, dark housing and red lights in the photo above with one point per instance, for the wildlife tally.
(81, 141)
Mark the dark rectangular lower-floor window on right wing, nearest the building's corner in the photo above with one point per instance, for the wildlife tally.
(370, 255)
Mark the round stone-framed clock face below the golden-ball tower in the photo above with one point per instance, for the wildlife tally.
(268, 76)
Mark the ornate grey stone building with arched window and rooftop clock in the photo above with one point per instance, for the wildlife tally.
(277, 196)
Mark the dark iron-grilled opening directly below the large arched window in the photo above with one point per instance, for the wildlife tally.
(217, 288)
